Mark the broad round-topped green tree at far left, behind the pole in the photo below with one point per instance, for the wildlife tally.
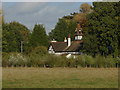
(13, 35)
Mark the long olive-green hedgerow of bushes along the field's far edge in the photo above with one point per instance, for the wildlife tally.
(40, 58)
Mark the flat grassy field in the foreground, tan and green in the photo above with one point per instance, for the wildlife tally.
(60, 78)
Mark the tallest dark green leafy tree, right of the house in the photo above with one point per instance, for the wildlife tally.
(102, 27)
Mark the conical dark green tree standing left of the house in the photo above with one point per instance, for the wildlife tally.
(38, 36)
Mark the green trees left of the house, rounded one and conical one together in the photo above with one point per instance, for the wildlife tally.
(16, 35)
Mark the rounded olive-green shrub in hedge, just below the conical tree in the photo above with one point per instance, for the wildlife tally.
(36, 57)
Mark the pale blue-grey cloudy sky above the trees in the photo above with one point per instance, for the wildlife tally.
(31, 13)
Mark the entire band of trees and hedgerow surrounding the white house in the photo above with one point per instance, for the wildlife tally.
(101, 38)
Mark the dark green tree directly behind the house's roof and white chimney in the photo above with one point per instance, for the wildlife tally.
(62, 30)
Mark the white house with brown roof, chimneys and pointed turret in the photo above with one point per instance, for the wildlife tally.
(68, 47)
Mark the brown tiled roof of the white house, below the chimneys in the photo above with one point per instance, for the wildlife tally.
(62, 46)
